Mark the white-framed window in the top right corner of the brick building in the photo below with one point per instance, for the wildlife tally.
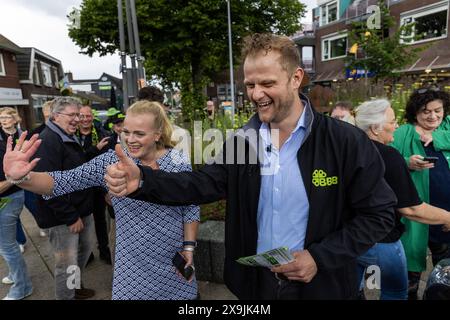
(430, 23)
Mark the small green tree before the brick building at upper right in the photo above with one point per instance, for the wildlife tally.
(381, 50)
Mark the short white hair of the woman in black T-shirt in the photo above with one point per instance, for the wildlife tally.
(371, 113)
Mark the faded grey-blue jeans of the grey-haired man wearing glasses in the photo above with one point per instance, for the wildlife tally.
(71, 250)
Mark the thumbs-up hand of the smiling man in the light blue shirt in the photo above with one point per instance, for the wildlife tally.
(122, 178)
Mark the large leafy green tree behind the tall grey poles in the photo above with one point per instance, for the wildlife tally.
(185, 42)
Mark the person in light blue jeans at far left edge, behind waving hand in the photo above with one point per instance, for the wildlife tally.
(11, 205)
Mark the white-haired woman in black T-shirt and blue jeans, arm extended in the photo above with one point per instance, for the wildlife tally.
(378, 120)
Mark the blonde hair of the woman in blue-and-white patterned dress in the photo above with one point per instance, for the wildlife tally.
(160, 122)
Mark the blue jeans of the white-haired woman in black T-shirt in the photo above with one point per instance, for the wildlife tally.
(391, 259)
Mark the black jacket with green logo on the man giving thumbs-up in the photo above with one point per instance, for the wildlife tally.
(346, 218)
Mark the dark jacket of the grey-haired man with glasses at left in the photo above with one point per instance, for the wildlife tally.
(58, 151)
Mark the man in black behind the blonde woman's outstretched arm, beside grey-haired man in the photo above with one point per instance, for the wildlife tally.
(94, 141)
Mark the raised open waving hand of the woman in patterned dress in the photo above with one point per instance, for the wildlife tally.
(16, 162)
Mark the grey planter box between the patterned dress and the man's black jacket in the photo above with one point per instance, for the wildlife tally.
(210, 253)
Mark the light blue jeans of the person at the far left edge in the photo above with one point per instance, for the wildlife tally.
(9, 248)
